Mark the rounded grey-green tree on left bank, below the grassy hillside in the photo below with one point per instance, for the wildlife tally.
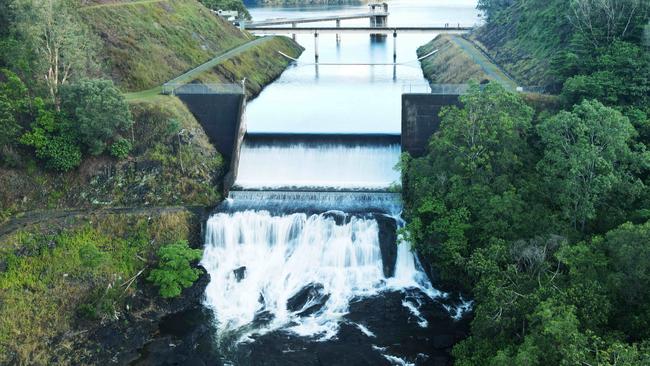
(99, 111)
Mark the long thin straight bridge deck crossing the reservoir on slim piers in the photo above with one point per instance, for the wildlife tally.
(367, 30)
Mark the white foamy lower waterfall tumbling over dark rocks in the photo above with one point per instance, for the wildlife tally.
(282, 255)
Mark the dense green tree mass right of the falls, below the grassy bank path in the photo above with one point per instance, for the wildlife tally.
(528, 213)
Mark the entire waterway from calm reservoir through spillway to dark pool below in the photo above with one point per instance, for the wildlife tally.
(305, 262)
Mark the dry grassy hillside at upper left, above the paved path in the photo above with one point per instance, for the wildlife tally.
(147, 43)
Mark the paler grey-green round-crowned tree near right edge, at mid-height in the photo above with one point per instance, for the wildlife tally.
(586, 154)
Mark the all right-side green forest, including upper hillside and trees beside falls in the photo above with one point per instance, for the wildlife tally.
(540, 211)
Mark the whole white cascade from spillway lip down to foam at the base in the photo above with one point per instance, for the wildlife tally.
(304, 240)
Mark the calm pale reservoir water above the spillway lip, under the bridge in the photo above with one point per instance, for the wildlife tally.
(350, 99)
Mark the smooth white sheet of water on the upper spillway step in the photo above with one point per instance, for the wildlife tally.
(318, 166)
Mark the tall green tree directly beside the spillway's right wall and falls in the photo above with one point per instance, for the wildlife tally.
(464, 192)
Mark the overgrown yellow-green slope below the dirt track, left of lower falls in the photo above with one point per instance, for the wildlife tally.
(64, 276)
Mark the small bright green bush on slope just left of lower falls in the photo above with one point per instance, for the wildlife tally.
(174, 271)
